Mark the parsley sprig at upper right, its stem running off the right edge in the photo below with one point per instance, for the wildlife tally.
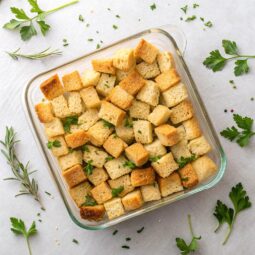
(216, 61)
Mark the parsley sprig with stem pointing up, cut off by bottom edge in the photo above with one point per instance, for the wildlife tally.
(192, 246)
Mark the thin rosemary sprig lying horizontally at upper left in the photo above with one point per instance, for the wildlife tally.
(42, 54)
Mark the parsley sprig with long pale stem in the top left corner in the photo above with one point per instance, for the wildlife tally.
(25, 23)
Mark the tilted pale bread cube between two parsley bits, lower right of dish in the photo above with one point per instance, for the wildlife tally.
(165, 165)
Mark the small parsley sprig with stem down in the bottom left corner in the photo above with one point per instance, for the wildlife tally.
(19, 228)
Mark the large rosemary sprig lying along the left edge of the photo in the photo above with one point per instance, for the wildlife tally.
(20, 171)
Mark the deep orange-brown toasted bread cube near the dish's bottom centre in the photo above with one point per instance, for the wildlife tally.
(140, 177)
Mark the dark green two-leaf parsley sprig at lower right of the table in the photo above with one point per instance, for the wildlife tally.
(228, 215)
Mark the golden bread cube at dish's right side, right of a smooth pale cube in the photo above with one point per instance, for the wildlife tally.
(181, 112)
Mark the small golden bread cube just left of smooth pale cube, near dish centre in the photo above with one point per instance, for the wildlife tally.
(139, 110)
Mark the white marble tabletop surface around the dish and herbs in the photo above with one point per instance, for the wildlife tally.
(232, 20)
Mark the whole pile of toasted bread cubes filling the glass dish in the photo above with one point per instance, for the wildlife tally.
(135, 123)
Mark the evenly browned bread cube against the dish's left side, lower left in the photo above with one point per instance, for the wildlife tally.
(74, 175)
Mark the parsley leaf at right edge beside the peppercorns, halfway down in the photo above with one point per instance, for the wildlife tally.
(241, 137)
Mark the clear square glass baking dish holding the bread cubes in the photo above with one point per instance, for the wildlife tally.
(168, 38)
